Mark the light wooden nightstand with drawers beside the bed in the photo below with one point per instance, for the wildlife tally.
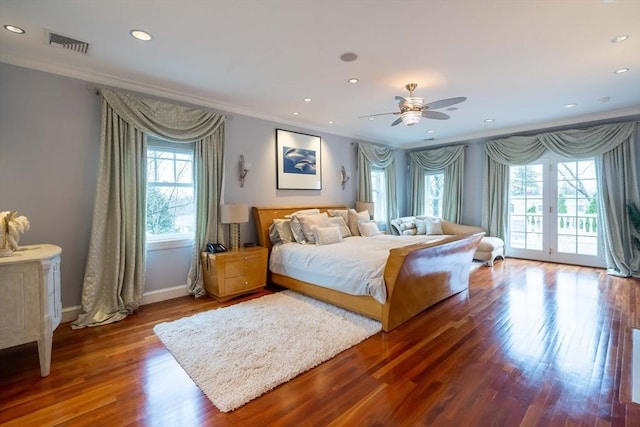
(236, 272)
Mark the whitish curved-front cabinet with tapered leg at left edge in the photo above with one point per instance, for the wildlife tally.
(30, 304)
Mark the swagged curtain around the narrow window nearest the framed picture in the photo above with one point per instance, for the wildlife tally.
(381, 157)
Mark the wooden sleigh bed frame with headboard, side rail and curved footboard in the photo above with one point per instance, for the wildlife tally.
(416, 276)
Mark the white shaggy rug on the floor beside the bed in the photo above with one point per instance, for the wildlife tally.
(237, 353)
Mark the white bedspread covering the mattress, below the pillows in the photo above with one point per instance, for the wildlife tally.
(354, 266)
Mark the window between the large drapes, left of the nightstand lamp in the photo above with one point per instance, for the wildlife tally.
(170, 192)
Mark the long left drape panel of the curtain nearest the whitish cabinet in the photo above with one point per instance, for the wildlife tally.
(115, 271)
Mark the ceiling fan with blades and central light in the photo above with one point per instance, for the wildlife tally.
(412, 108)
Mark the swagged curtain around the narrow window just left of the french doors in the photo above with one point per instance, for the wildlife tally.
(447, 159)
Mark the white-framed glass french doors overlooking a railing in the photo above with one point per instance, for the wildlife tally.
(553, 212)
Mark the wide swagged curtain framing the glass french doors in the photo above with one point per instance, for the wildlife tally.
(611, 145)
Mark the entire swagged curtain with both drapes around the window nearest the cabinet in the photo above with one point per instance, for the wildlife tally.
(114, 274)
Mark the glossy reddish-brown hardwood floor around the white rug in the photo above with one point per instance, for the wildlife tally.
(530, 343)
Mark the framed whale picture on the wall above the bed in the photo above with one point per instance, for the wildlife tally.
(299, 164)
